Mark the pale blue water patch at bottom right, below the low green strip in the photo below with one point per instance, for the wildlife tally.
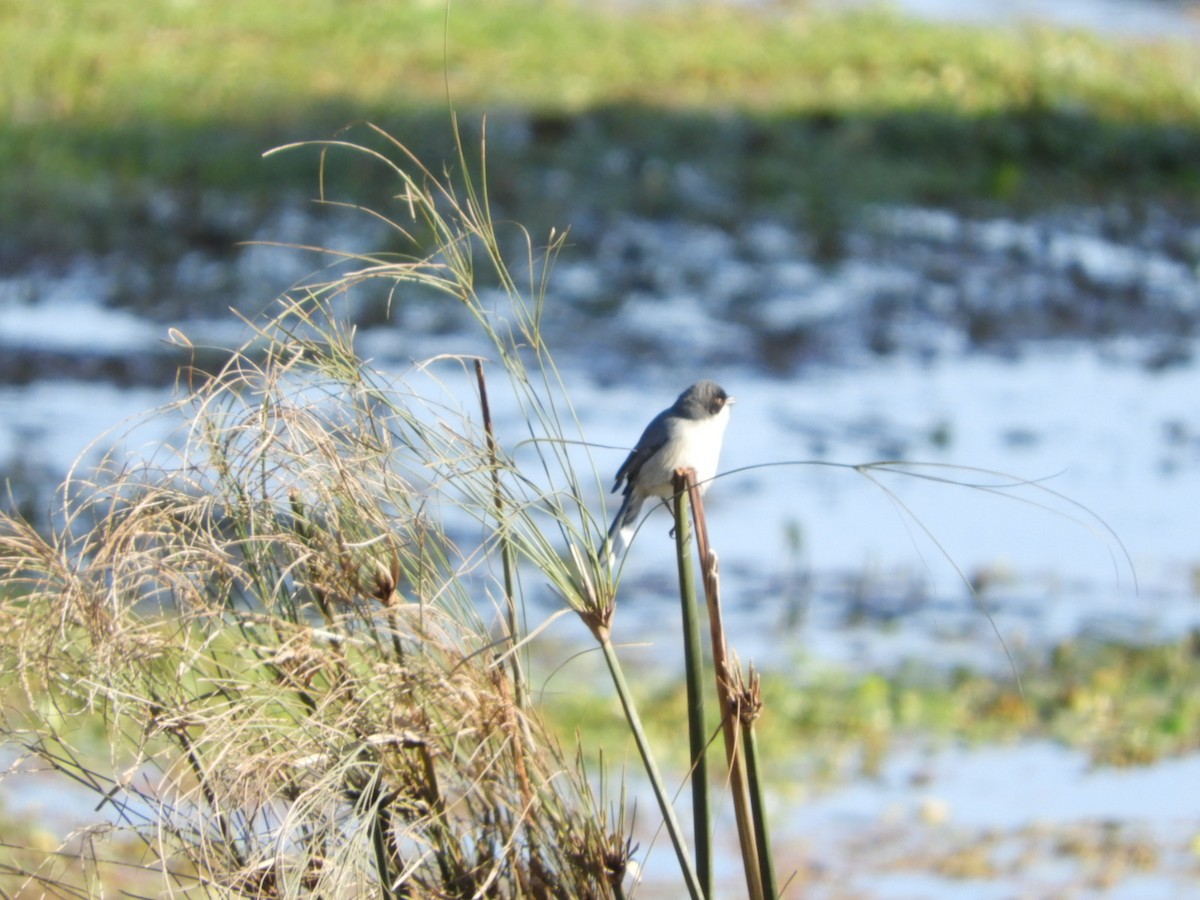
(959, 824)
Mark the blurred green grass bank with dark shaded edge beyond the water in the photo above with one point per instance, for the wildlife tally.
(105, 105)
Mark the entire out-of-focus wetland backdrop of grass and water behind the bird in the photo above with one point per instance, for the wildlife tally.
(964, 237)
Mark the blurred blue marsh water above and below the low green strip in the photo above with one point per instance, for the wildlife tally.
(1061, 351)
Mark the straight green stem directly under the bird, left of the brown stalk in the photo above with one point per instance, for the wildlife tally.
(694, 665)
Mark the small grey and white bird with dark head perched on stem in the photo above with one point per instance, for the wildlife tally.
(688, 436)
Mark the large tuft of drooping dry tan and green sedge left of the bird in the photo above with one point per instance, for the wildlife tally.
(281, 620)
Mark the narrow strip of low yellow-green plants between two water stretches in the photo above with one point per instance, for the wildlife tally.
(1121, 705)
